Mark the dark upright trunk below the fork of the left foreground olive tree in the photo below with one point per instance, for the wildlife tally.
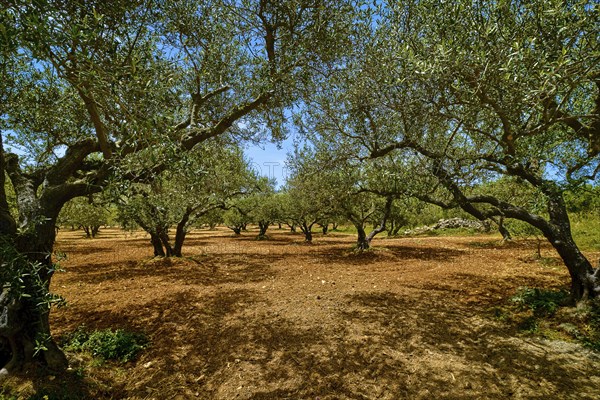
(25, 309)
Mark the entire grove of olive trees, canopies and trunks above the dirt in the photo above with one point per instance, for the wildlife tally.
(492, 108)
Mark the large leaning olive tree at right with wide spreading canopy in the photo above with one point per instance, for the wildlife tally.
(478, 91)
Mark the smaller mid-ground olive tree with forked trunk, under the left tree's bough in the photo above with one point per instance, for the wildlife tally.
(202, 181)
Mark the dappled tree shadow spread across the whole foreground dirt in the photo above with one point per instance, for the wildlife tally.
(225, 344)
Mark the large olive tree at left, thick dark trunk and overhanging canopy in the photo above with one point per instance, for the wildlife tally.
(96, 88)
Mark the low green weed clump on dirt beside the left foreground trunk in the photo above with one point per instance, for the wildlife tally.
(119, 345)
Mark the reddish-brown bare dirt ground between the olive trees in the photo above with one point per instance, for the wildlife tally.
(280, 319)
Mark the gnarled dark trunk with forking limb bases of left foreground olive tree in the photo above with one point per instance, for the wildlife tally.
(27, 249)
